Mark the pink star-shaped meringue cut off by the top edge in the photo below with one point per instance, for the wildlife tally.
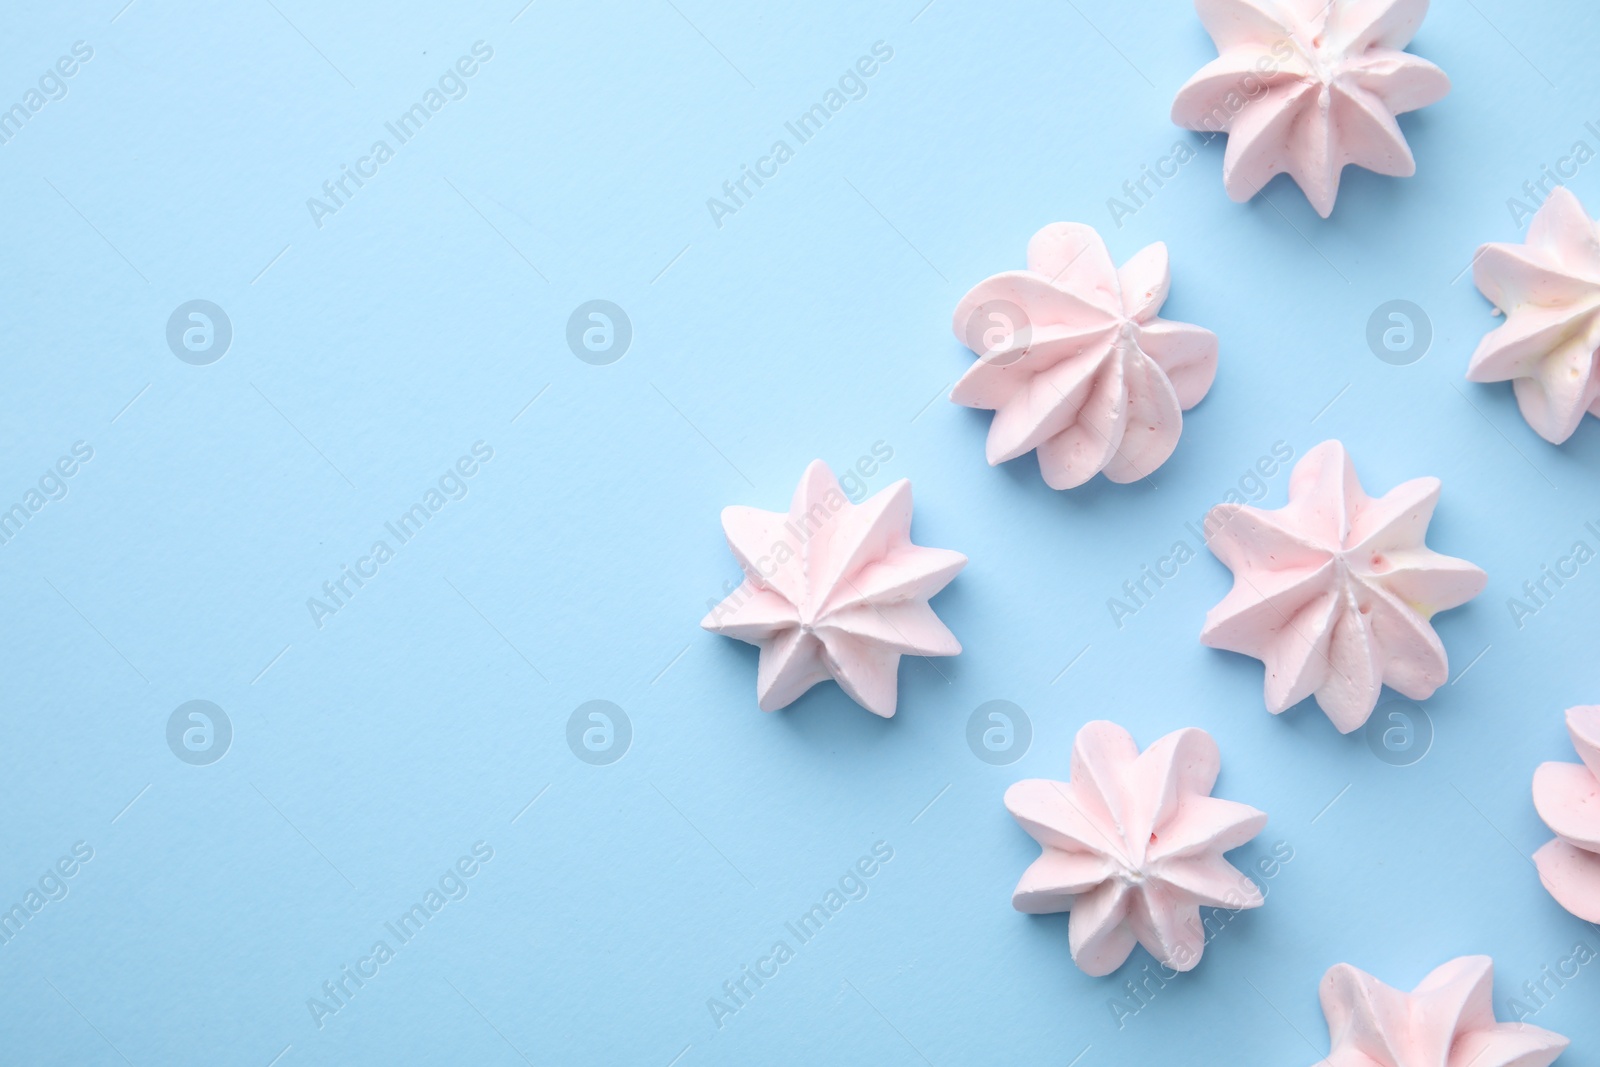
(1308, 87)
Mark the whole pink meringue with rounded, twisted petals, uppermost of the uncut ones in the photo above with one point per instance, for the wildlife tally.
(1076, 362)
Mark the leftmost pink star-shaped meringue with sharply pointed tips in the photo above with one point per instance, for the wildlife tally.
(834, 591)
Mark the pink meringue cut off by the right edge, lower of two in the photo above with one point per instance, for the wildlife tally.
(1569, 801)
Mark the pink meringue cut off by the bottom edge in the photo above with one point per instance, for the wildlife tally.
(1447, 1021)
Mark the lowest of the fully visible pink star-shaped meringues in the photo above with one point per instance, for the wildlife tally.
(1134, 847)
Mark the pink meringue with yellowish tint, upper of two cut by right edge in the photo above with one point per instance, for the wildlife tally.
(1550, 290)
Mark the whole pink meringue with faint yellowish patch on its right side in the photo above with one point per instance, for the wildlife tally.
(1335, 593)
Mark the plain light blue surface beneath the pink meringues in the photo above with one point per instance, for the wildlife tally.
(428, 713)
